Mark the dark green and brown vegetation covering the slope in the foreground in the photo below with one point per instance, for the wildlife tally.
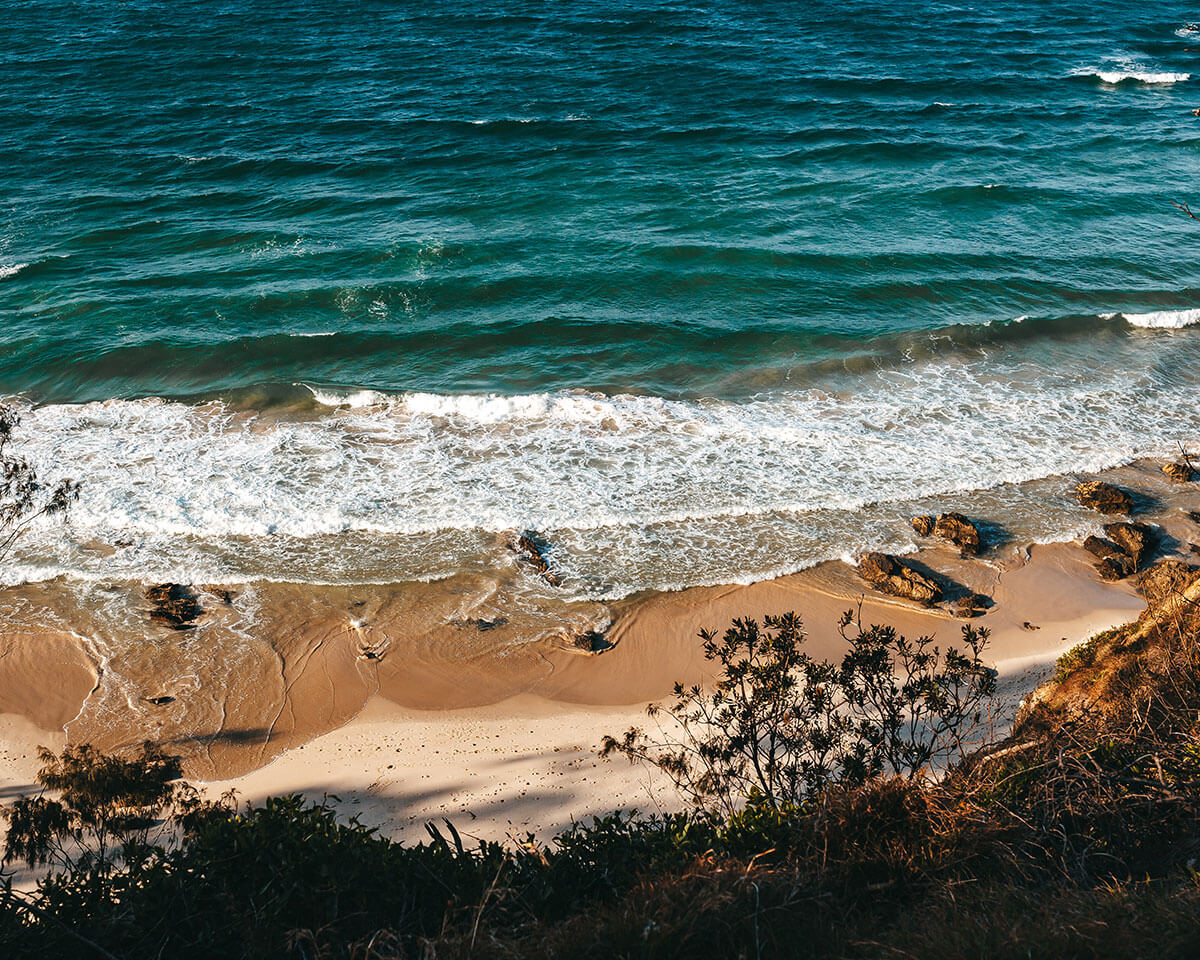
(1078, 833)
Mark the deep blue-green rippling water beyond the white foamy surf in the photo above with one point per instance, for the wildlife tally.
(670, 199)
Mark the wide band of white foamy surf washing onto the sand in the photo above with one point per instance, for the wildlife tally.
(634, 491)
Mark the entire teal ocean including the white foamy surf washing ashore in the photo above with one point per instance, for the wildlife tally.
(353, 293)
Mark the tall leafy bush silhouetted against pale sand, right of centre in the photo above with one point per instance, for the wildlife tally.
(779, 727)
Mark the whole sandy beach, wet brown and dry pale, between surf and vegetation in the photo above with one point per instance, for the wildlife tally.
(385, 712)
